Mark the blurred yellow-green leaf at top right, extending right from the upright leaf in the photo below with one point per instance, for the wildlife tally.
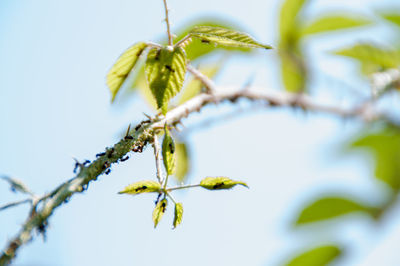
(331, 22)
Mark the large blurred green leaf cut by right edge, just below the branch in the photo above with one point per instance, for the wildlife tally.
(384, 145)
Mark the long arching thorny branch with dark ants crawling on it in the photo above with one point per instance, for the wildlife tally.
(40, 213)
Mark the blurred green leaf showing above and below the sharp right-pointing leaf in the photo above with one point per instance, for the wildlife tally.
(196, 48)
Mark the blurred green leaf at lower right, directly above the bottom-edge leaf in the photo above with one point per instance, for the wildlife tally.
(330, 207)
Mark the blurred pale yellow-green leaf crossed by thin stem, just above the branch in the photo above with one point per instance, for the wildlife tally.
(194, 86)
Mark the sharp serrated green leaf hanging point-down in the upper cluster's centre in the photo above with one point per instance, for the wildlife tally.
(165, 73)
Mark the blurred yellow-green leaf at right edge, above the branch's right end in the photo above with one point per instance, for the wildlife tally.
(372, 57)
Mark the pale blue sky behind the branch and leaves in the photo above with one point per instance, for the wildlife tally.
(55, 106)
